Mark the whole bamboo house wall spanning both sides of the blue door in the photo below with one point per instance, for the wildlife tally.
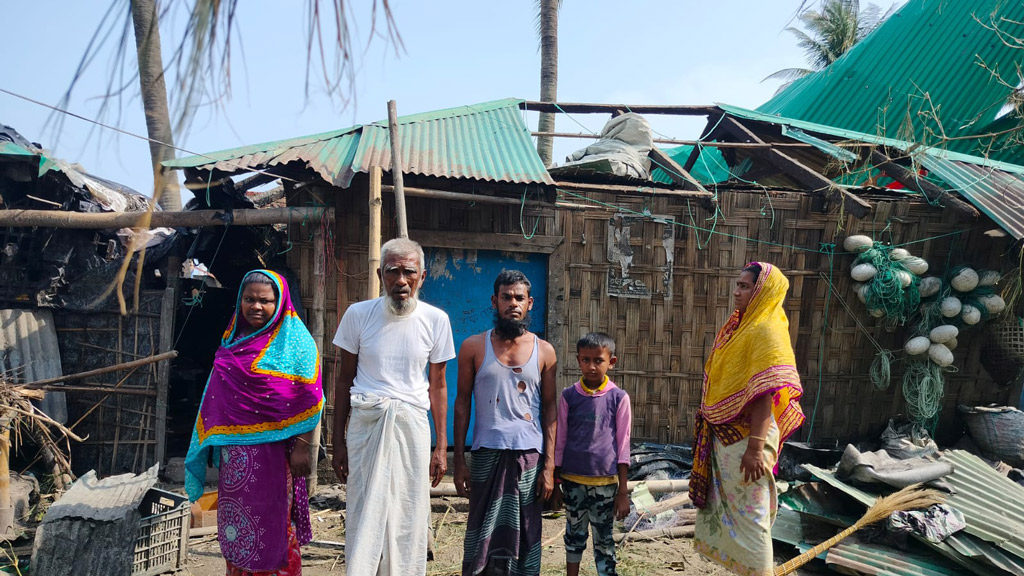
(665, 317)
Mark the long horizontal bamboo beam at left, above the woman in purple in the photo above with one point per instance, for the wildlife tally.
(188, 219)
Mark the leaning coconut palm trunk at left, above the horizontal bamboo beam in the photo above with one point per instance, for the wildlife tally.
(158, 119)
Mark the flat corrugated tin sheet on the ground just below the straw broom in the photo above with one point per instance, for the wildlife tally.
(857, 558)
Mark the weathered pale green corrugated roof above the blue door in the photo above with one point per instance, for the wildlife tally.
(487, 142)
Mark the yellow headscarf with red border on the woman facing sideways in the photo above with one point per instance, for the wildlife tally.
(752, 357)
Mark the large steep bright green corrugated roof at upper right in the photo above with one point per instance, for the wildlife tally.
(934, 48)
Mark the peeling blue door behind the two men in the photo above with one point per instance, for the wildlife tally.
(461, 283)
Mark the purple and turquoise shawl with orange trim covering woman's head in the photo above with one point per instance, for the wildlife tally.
(265, 387)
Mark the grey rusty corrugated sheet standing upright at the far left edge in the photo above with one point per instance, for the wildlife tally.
(29, 352)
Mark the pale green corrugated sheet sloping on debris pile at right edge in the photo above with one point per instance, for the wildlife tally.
(993, 506)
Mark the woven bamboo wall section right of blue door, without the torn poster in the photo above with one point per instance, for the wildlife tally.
(664, 340)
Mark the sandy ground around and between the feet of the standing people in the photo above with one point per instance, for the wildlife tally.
(657, 558)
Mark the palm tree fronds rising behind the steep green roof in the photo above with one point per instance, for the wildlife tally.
(832, 30)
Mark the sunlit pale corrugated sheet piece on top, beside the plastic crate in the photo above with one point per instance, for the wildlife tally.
(103, 501)
